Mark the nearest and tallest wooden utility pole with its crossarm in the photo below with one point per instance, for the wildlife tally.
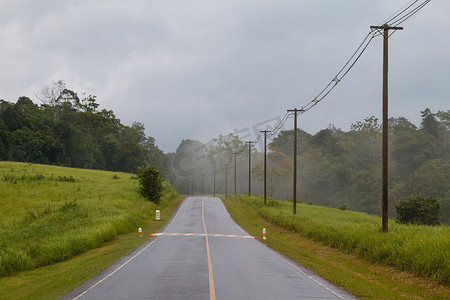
(384, 179)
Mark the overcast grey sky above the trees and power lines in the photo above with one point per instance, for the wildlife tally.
(197, 69)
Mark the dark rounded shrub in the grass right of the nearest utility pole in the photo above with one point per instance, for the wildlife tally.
(418, 210)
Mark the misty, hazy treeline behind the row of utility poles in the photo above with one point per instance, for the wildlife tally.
(335, 168)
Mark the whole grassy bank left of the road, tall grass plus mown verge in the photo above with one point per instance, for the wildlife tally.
(52, 214)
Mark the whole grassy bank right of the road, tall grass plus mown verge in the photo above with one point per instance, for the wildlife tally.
(349, 249)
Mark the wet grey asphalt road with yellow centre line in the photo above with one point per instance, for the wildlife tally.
(184, 262)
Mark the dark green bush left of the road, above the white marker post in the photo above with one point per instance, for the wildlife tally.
(150, 183)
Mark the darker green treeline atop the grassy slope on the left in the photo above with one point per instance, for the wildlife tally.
(67, 130)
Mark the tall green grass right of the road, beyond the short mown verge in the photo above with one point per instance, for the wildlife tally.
(423, 250)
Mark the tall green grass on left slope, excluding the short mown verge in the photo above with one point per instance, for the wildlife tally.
(49, 214)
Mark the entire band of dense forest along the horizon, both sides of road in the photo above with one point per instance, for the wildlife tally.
(335, 168)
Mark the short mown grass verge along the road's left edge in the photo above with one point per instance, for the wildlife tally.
(55, 280)
